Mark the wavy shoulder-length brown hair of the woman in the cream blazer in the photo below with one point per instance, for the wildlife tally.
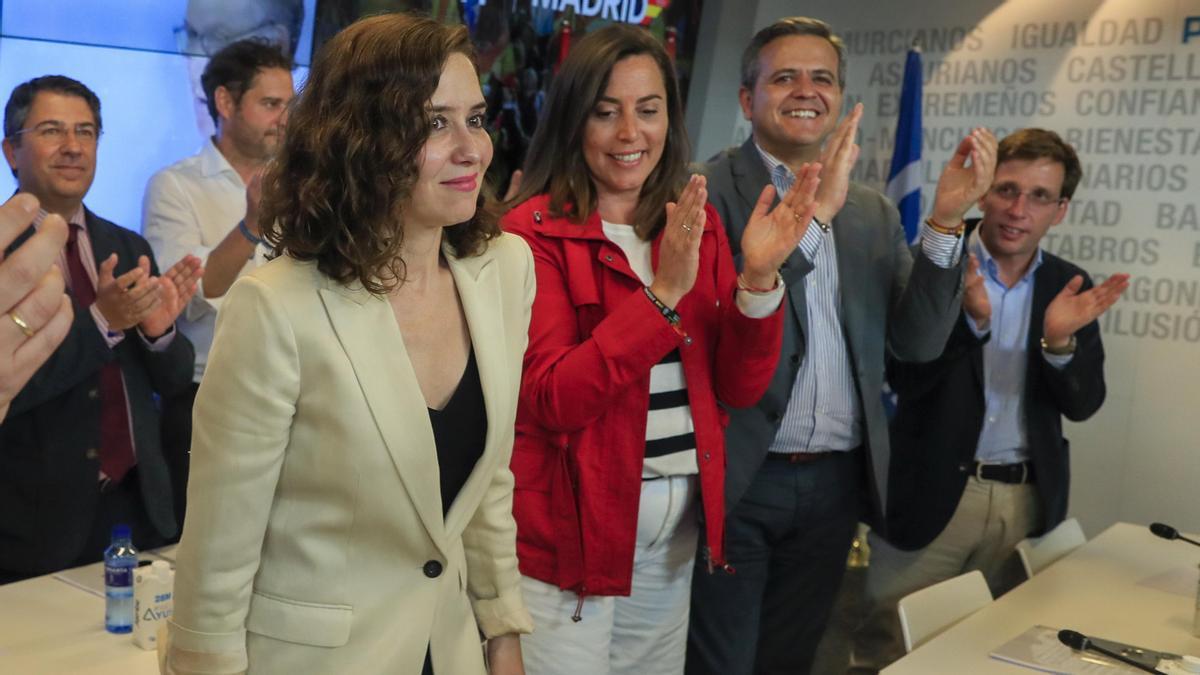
(338, 192)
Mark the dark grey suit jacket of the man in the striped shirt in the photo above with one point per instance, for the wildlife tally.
(890, 302)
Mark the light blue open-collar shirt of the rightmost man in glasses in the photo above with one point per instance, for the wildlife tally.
(1004, 439)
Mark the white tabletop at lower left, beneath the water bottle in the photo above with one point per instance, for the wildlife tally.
(53, 628)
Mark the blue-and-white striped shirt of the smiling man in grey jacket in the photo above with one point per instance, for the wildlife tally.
(825, 411)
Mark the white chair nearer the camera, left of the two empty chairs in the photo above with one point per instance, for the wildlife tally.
(931, 611)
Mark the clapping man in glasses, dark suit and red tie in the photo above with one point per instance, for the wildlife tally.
(81, 449)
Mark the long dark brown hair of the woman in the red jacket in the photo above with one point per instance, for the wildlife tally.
(556, 165)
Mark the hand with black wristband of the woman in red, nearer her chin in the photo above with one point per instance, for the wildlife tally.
(680, 250)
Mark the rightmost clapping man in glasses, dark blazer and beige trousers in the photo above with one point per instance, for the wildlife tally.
(979, 457)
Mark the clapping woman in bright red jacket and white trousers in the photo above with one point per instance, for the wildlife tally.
(641, 326)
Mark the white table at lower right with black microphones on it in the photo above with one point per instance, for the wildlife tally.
(1125, 586)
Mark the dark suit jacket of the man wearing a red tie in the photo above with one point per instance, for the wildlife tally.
(49, 444)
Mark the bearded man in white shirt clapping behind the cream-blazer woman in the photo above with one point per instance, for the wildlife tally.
(207, 205)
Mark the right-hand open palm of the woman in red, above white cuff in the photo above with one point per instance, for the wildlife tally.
(772, 236)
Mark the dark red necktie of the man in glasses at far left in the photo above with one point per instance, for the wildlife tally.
(116, 443)
